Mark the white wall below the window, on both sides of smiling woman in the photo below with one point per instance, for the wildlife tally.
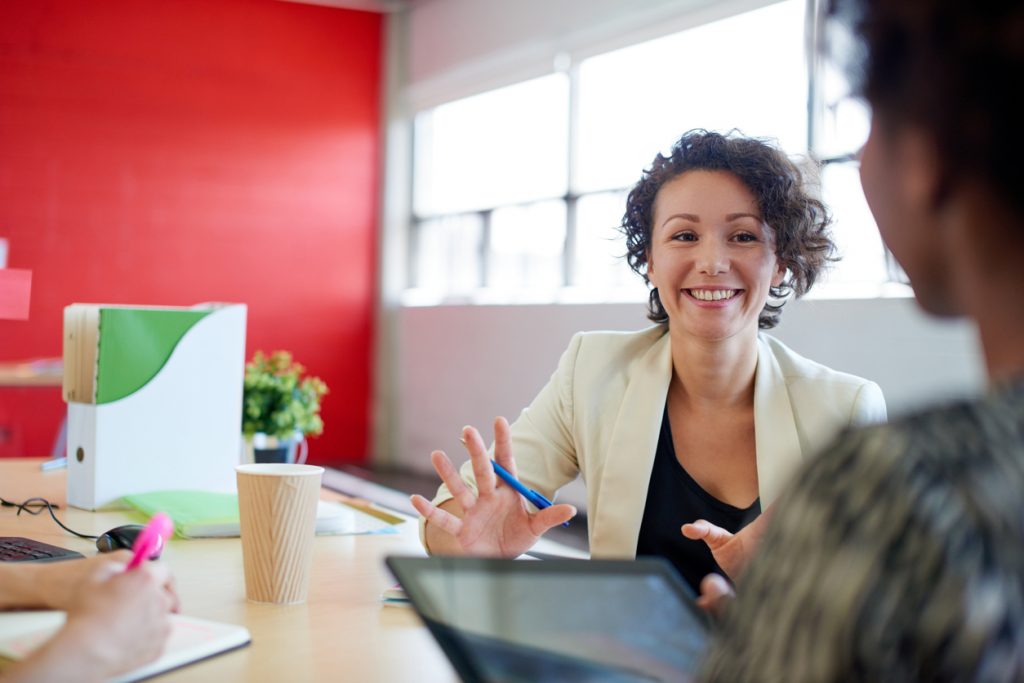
(465, 365)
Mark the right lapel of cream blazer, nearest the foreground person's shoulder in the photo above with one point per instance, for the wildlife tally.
(777, 442)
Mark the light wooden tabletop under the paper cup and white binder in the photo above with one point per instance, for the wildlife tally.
(342, 634)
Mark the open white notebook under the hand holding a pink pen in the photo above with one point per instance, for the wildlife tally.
(191, 641)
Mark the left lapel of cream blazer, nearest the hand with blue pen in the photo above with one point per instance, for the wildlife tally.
(630, 456)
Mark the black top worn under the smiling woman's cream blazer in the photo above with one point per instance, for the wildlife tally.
(674, 499)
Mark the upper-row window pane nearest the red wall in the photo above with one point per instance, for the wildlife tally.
(502, 147)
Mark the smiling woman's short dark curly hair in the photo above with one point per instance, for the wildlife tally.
(799, 223)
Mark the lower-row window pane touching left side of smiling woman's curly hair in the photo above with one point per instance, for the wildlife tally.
(601, 265)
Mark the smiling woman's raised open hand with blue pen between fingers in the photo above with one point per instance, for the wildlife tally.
(496, 521)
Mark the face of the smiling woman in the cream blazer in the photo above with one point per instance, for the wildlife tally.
(712, 258)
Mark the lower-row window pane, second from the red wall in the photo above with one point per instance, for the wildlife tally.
(527, 246)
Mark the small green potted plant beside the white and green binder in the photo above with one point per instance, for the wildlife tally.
(280, 408)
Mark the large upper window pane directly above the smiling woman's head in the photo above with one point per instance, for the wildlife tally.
(746, 72)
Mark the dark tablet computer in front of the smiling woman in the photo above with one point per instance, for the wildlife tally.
(601, 621)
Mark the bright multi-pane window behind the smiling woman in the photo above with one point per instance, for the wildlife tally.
(519, 192)
